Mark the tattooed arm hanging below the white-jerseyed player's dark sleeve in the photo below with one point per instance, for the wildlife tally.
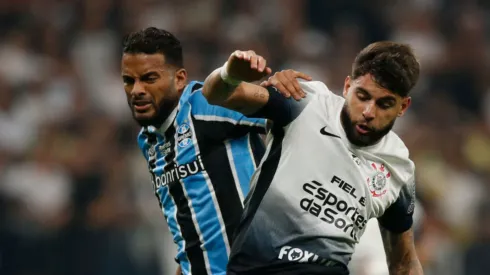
(400, 253)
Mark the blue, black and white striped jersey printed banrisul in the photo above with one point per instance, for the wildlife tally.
(201, 160)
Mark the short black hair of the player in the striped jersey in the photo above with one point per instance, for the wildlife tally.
(153, 40)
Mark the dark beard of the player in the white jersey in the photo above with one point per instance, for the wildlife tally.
(362, 140)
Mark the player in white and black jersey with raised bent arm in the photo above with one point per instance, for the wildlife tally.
(332, 163)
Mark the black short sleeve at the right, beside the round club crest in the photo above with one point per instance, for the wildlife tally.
(398, 218)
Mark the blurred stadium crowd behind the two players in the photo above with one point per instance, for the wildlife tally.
(75, 196)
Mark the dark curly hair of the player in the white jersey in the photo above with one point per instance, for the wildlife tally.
(392, 65)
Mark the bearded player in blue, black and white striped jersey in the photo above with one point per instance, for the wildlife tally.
(201, 157)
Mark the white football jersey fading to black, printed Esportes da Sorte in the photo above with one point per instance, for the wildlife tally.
(314, 191)
